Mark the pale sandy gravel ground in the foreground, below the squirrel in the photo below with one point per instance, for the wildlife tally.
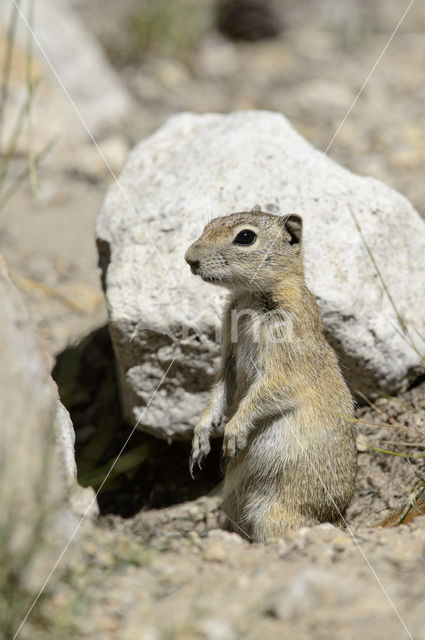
(200, 582)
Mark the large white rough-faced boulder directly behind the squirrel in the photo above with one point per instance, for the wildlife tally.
(164, 321)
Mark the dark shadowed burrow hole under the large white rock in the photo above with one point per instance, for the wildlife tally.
(151, 473)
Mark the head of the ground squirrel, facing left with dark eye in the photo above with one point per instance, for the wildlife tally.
(250, 250)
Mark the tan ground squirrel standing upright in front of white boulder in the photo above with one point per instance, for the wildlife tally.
(289, 437)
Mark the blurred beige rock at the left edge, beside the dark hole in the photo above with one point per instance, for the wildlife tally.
(37, 461)
